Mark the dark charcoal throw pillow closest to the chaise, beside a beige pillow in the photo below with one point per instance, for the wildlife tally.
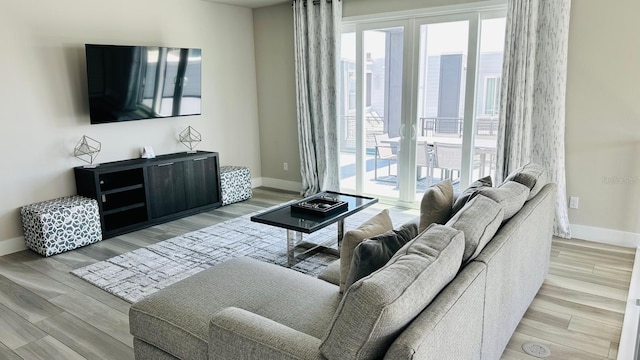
(372, 254)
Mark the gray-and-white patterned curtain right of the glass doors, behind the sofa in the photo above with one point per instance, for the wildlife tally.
(532, 120)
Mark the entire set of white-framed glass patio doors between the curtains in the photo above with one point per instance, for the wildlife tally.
(419, 102)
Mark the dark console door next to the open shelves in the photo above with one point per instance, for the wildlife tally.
(166, 188)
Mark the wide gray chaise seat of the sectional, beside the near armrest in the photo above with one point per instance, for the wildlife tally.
(176, 318)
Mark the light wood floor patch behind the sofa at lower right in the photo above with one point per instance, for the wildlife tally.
(579, 310)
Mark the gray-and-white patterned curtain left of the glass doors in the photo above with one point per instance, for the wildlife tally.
(317, 38)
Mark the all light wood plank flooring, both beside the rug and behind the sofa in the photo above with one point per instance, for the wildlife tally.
(47, 313)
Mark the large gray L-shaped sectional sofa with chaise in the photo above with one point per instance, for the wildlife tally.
(434, 299)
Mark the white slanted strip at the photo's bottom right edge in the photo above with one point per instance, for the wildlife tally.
(629, 334)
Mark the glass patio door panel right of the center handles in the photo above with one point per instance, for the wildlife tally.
(441, 67)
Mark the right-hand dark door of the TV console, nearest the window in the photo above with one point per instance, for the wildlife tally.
(201, 181)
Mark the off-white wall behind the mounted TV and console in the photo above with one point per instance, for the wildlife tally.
(44, 106)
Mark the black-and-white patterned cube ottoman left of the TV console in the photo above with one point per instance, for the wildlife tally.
(55, 226)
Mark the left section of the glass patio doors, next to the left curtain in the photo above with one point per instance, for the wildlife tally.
(372, 66)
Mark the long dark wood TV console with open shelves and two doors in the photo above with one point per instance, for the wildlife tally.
(137, 193)
